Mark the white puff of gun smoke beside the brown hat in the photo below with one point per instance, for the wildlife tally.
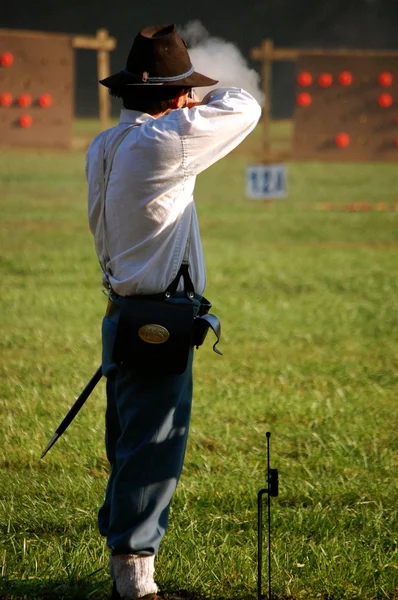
(220, 60)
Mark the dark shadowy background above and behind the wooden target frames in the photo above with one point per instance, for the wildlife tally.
(298, 23)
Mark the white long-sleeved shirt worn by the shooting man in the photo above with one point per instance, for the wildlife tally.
(149, 199)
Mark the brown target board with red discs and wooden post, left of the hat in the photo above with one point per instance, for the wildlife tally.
(37, 72)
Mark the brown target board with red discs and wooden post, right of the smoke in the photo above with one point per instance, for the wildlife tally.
(346, 103)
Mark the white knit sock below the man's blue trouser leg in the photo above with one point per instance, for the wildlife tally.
(133, 575)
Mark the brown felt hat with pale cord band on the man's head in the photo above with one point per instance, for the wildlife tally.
(159, 56)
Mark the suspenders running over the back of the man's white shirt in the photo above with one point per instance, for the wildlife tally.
(100, 232)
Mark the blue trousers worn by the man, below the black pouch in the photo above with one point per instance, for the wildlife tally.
(146, 430)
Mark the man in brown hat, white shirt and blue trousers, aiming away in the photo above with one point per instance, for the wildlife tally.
(141, 177)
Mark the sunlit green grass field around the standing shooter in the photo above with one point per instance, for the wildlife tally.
(308, 301)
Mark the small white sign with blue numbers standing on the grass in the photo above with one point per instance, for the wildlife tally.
(266, 181)
